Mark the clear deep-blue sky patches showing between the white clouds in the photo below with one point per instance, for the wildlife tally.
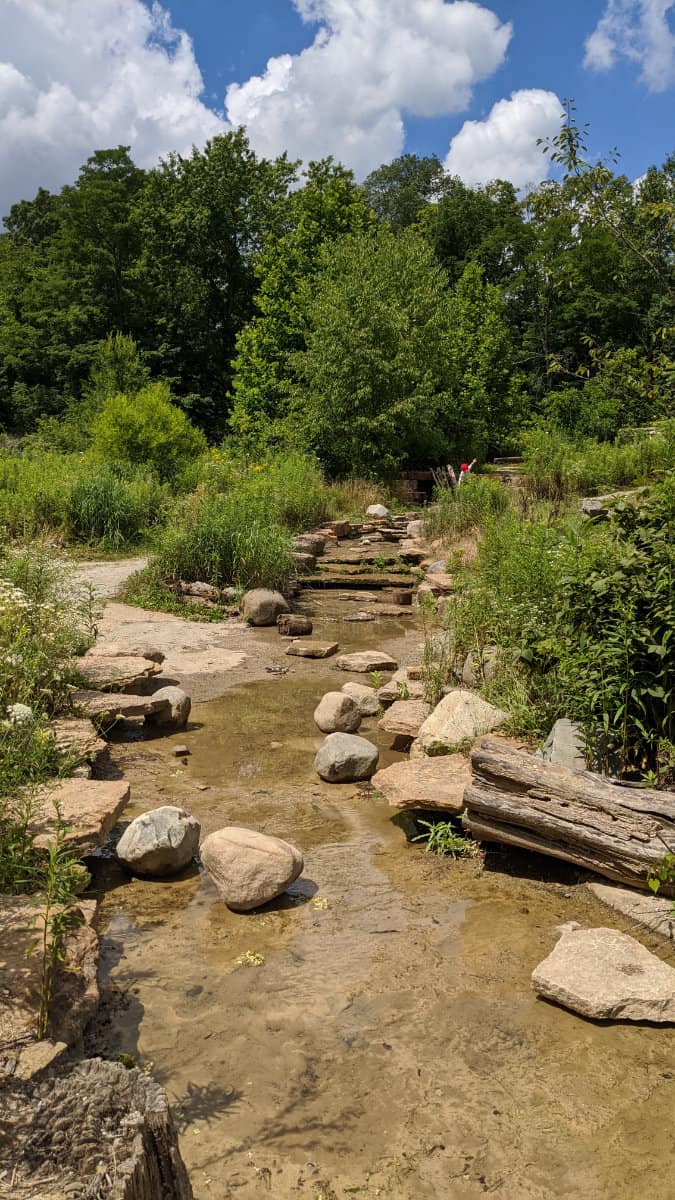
(235, 39)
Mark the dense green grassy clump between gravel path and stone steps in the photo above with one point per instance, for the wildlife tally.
(217, 539)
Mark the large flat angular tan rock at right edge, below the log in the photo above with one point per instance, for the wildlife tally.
(607, 976)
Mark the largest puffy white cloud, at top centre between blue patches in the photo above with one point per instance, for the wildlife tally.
(372, 63)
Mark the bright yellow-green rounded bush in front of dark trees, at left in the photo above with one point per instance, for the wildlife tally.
(146, 429)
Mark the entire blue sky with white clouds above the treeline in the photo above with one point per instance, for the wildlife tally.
(365, 81)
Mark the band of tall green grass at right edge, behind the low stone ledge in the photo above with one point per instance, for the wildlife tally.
(557, 466)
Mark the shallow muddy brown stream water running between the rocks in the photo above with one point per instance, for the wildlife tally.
(390, 1043)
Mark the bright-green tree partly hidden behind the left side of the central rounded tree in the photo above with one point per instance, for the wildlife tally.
(328, 207)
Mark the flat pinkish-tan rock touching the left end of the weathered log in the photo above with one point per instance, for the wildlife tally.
(426, 783)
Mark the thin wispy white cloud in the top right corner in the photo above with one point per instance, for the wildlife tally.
(638, 31)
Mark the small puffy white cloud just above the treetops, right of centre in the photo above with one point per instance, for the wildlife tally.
(505, 145)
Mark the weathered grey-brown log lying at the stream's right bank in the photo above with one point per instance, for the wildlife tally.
(517, 799)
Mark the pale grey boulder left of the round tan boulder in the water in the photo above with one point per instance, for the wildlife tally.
(160, 843)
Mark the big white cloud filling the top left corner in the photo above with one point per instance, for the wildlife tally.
(86, 75)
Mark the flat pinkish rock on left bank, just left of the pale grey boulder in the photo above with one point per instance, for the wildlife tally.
(89, 808)
